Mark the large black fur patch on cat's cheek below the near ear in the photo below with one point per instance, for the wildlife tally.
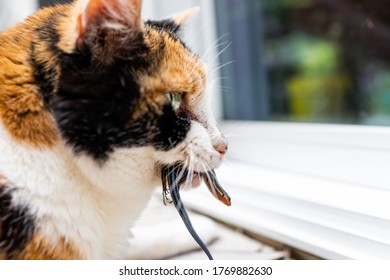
(93, 106)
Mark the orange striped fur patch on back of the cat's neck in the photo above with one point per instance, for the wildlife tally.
(22, 110)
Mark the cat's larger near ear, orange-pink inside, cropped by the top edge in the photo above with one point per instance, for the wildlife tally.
(108, 27)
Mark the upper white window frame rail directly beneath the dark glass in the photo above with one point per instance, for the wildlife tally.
(358, 155)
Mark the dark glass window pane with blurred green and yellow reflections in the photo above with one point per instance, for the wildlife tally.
(322, 61)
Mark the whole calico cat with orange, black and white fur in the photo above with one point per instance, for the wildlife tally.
(93, 102)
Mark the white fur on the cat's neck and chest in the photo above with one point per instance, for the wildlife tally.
(91, 206)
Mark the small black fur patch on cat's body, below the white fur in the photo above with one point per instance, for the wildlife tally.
(17, 225)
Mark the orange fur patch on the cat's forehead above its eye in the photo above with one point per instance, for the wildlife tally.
(179, 69)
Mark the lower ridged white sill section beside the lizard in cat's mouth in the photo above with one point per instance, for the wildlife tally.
(302, 212)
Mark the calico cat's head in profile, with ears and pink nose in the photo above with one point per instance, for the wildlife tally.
(128, 84)
